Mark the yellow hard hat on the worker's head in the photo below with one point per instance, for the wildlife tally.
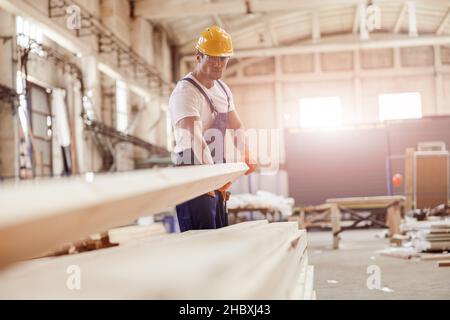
(216, 42)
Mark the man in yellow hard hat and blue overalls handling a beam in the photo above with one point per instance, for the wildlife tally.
(201, 109)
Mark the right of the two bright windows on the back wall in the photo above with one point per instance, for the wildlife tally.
(400, 106)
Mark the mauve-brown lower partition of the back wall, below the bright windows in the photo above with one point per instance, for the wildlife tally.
(355, 162)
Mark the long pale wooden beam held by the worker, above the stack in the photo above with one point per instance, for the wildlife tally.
(39, 216)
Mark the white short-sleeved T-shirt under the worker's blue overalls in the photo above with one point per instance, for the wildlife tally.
(187, 101)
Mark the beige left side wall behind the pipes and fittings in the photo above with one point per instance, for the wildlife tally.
(146, 114)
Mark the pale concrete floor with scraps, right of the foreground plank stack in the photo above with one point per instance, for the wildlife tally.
(342, 274)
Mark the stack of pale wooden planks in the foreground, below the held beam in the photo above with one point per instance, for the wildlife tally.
(253, 260)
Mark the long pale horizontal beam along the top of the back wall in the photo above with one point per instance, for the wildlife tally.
(347, 43)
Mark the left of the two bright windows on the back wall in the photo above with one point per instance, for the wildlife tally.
(320, 112)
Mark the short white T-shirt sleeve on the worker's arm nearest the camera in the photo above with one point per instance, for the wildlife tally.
(182, 104)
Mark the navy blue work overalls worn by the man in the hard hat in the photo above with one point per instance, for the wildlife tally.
(204, 212)
